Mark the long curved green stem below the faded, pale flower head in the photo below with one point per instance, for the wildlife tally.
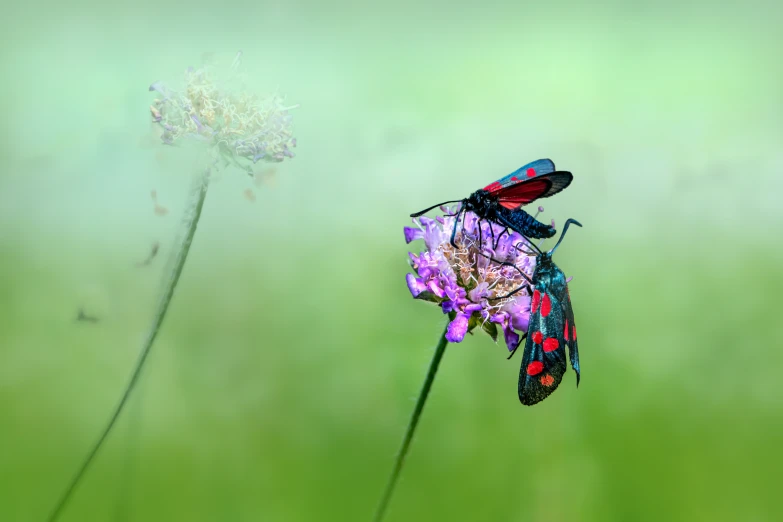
(192, 216)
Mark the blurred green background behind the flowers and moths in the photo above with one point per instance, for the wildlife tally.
(285, 374)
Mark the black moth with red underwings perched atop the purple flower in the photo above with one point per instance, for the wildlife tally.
(501, 201)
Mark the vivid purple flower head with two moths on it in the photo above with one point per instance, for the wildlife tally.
(472, 282)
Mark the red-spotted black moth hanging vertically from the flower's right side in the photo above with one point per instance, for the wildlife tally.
(551, 328)
